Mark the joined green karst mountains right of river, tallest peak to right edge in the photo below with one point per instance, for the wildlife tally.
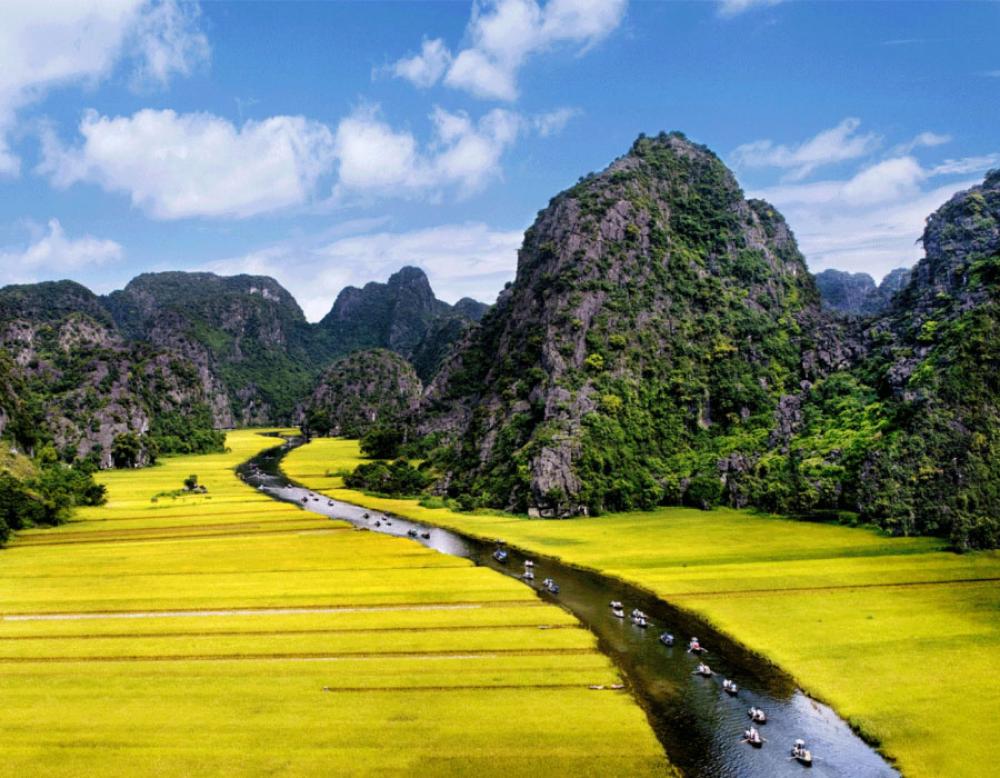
(663, 343)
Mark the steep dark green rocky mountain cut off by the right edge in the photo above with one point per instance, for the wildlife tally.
(934, 361)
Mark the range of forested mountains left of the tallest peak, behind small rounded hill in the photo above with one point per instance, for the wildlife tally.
(214, 351)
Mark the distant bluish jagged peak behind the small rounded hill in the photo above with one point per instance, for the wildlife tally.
(402, 315)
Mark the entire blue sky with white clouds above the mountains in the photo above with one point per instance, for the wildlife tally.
(329, 143)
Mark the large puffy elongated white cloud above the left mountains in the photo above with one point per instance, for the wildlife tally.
(174, 166)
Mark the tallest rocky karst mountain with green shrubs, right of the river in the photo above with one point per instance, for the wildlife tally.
(656, 314)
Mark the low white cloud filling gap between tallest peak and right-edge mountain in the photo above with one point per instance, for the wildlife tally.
(872, 221)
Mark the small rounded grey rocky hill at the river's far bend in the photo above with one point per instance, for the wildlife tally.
(365, 389)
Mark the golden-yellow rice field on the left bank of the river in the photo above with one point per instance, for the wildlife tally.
(228, 634)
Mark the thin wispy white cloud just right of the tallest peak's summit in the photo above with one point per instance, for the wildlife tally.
(836, 144)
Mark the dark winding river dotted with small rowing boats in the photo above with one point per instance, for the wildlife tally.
(698, 723)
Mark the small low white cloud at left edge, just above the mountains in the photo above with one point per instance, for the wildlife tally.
(53, 255)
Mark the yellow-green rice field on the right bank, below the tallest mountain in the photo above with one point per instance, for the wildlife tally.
(900, 636)
